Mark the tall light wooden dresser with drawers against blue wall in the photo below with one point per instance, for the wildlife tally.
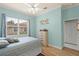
(44, 37)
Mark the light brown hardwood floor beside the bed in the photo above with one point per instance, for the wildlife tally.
(51, 51)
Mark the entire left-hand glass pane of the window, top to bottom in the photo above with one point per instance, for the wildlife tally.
(12, 26)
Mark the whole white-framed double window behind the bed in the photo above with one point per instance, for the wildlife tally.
(16, 27)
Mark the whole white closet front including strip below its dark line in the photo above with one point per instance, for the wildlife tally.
(70, 32)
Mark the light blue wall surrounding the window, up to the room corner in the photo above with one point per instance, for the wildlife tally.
(19, 15)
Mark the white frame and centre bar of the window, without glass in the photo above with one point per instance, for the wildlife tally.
(18, 34)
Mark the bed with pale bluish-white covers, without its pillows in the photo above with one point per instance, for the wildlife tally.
(27, 46)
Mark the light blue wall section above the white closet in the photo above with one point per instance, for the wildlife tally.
(71, 13)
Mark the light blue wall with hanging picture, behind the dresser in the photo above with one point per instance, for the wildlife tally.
(54, 27)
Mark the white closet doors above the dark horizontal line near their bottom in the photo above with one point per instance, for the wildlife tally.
(70, 32)
